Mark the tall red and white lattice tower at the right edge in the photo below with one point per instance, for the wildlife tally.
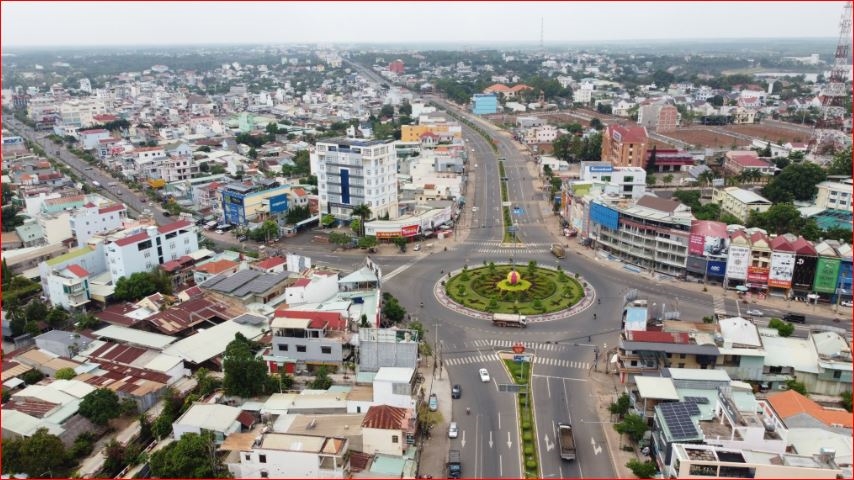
(833, 94)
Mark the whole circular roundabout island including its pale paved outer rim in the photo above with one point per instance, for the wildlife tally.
(541, 293)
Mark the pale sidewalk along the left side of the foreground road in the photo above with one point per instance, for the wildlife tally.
(434, 450)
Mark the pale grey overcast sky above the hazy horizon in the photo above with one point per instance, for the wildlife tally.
(26, 23)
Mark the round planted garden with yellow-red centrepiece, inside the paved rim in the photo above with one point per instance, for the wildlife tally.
(523, 289)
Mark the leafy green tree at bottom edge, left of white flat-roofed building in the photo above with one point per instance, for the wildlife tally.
(193, 456)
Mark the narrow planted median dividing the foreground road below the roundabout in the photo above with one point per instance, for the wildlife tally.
(519, 367)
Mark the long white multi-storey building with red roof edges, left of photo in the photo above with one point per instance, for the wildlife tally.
(142, 249)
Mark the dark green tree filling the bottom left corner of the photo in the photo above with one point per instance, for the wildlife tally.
(40, 455)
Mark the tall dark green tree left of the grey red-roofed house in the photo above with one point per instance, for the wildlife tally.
(245, 375)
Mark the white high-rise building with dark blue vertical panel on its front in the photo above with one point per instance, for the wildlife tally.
(352, 172)
